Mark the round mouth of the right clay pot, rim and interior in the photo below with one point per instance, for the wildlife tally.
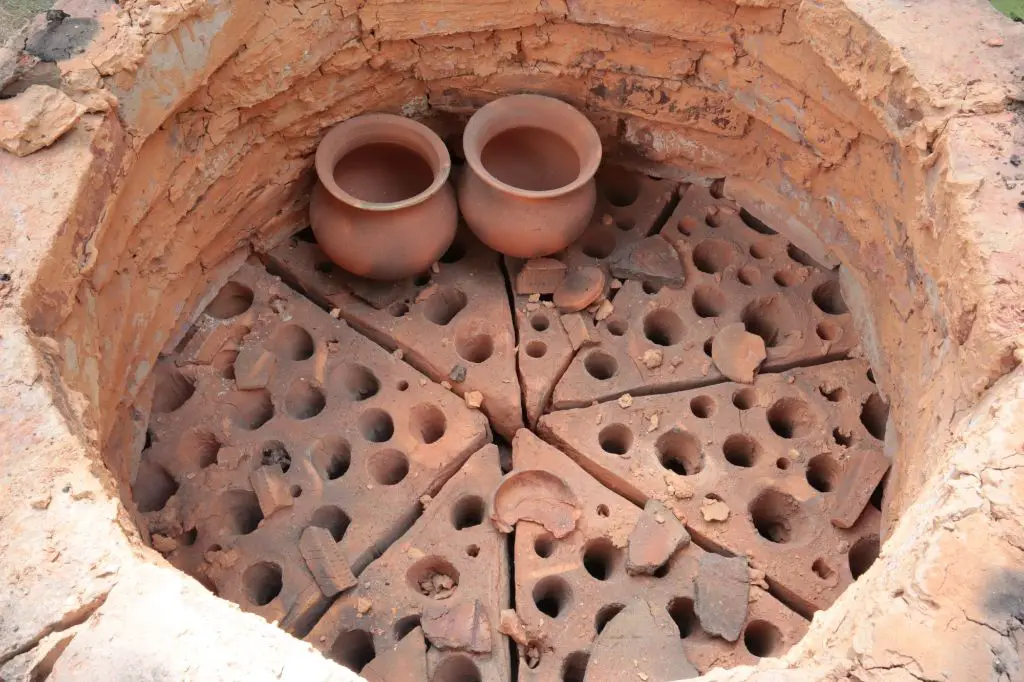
(533, 147)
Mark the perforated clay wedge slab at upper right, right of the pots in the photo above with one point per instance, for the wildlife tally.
(736, 272)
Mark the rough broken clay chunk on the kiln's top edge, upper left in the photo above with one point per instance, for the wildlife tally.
(36, 119)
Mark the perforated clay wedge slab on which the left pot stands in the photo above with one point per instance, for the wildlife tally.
(454, 324)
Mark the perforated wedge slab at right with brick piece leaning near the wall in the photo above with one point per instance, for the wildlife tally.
(754, 471)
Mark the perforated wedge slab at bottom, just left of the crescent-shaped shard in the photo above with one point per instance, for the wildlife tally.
(448, 576)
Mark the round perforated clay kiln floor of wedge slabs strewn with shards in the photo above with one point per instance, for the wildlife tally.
(320, 453)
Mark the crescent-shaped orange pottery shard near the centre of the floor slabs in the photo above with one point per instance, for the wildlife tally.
(536, 496)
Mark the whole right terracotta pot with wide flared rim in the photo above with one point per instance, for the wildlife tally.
(529, 190)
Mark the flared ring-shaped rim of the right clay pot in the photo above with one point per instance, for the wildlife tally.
(561, 112)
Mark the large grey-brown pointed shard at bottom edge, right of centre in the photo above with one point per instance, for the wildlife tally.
(633, 642)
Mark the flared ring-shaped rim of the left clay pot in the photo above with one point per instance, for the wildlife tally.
(381, 129)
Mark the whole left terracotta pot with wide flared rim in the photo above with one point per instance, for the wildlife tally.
(383, 208)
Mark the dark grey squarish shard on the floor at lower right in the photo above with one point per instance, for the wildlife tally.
(721, 592)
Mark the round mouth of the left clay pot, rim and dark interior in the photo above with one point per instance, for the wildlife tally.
(382, 162)
